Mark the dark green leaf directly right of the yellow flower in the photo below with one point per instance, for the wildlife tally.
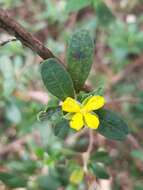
(111, 125)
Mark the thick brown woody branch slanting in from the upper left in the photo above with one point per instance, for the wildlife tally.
(26, 38)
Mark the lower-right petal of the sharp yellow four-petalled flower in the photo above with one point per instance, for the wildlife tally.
(91, 120)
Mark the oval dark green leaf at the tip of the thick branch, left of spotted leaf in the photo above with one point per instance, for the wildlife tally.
(56, 79)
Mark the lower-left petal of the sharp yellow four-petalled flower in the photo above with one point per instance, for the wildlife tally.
(77, 121)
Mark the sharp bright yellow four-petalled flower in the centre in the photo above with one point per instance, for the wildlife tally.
(83, 114)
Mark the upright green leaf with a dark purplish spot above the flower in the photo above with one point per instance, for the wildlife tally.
(80, 57)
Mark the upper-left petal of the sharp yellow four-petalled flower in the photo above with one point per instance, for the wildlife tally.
(70, 105)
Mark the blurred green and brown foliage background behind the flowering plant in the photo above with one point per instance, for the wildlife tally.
(31, 157)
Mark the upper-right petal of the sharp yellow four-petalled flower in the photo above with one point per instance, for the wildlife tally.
(94, 103)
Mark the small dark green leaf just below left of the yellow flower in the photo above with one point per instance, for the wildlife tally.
(61, 129)
